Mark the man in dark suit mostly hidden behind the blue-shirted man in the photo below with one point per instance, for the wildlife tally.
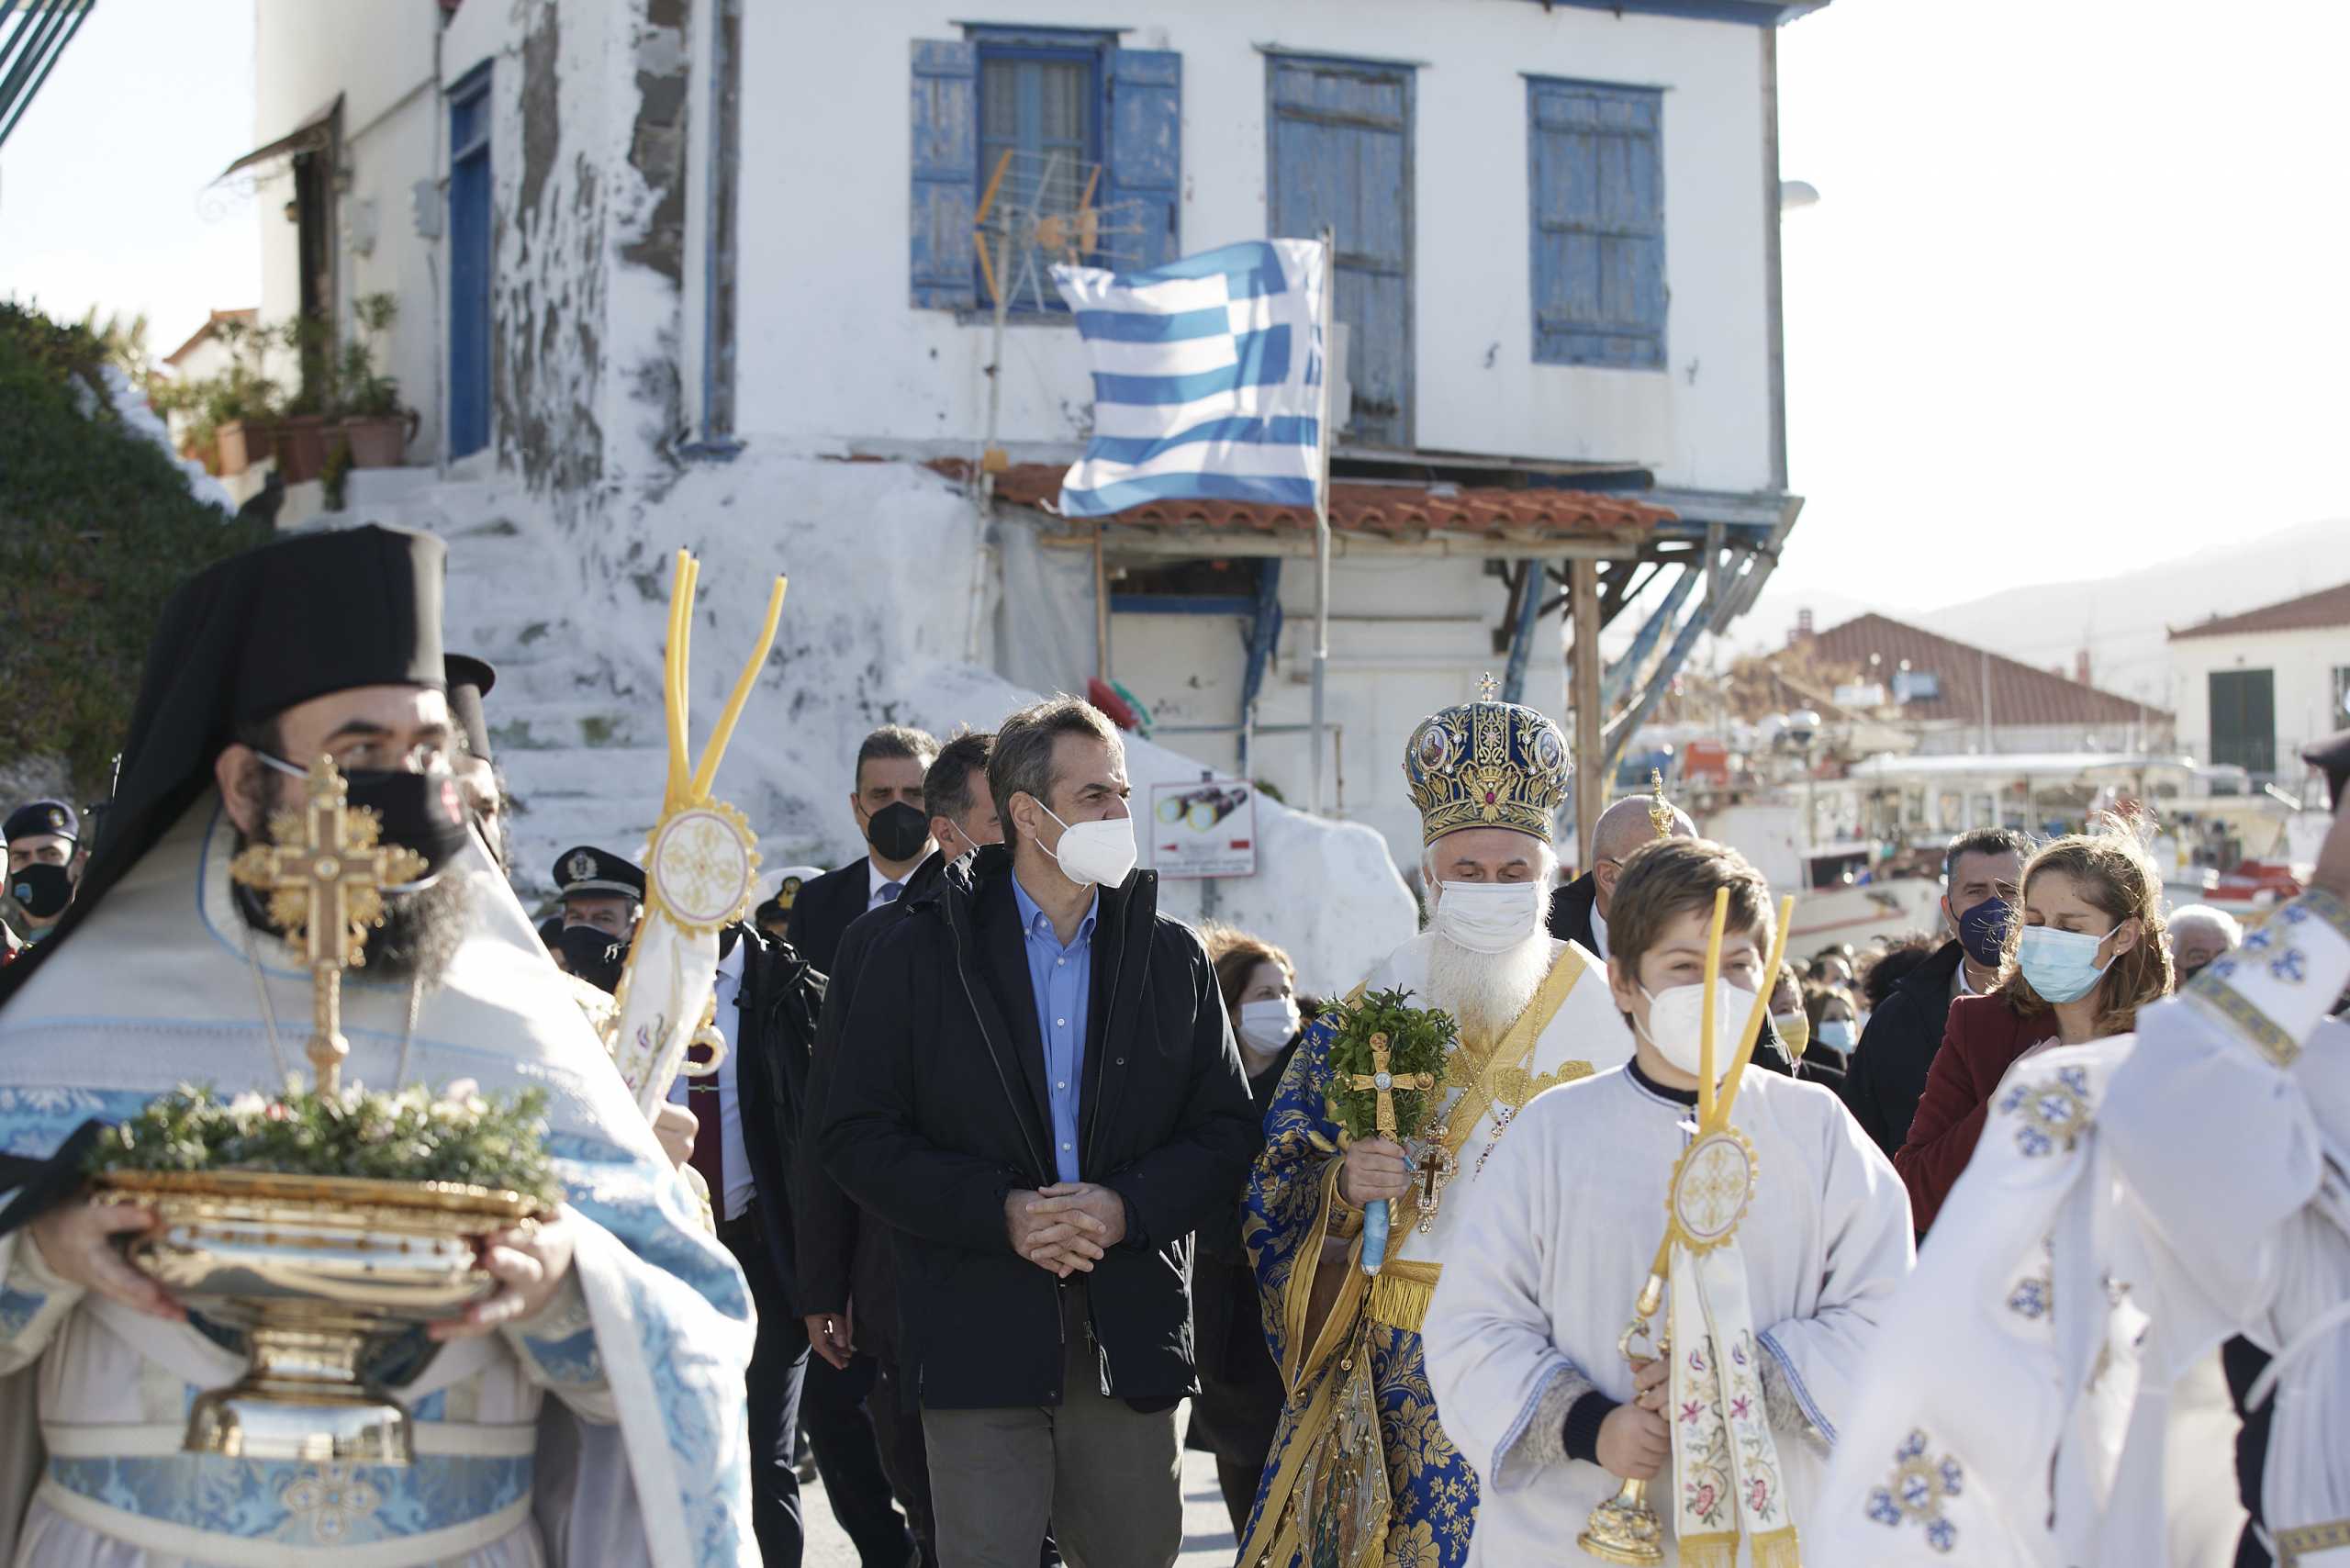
(847, 1280)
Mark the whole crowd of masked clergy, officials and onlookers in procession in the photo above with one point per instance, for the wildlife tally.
(1012, 1184)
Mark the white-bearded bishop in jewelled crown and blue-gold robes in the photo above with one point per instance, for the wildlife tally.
(1533, 1012)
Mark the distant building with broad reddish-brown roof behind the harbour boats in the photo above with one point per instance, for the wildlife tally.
(1956, 699)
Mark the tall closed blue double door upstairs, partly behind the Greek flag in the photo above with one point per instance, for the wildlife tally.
(1343, 159)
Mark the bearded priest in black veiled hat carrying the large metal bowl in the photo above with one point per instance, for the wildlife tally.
(163, 972)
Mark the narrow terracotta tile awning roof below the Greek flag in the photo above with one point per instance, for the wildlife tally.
(1392, 511)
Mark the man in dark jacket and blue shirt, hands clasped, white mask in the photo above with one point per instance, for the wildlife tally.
(1040, 1092)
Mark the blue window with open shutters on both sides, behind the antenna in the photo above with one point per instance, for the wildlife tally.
(1038, 93)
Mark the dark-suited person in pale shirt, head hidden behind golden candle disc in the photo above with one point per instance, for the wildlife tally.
(744, 1144)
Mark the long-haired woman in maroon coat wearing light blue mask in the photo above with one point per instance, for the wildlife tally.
(2086, 956)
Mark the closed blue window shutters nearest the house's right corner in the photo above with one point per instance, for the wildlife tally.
(1597, 185)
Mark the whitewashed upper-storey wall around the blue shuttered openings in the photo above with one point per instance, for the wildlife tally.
(833, 349)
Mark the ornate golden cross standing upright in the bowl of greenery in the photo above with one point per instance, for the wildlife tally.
(325, 876)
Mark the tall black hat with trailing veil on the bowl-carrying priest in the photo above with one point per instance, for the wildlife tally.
(241, 643)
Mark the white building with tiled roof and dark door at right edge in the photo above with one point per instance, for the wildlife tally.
(2262, 685)
